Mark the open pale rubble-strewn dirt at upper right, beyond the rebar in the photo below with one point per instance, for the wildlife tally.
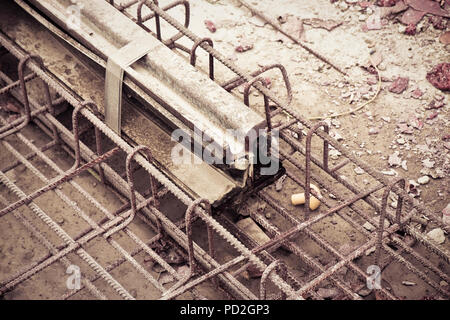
(375, 132)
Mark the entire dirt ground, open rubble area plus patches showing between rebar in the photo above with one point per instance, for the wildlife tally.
(397, 134)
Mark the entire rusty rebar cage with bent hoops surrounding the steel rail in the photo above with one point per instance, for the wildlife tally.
(303, 169)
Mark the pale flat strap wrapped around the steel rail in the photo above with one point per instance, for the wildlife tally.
(116, 66)
